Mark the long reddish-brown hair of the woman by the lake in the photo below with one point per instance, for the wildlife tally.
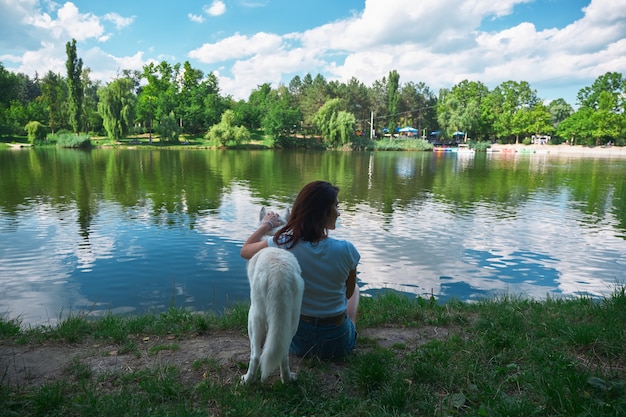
(310, 211)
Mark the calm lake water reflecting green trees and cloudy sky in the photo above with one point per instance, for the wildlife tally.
(132, 230)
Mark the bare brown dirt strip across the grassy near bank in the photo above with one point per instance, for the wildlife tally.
(27, 365)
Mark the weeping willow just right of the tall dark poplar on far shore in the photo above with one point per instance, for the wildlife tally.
(116, 106)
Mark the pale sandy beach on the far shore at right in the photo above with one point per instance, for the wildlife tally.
(564, 150)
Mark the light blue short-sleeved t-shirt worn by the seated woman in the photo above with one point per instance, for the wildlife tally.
(325, 267)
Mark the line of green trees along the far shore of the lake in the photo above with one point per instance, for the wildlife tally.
(174, 100)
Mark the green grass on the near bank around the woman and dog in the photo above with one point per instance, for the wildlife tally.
(498, 357)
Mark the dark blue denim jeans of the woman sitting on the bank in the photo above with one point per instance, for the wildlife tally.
(325, 341)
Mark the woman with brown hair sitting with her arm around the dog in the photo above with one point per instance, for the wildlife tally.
(331, 296)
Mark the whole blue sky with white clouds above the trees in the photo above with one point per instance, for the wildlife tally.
(558, 46)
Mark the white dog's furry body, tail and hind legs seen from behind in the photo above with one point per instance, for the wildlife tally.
(276, 288)
